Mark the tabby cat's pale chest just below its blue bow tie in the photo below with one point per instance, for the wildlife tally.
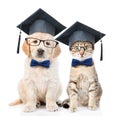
(83, 76)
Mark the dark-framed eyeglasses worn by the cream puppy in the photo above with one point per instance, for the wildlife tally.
(47, 43)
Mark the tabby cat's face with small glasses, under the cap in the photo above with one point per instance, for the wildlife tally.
(82, 50)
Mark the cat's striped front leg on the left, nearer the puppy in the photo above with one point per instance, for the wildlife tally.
(73, 95)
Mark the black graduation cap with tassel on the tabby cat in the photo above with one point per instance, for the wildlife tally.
(80, 32)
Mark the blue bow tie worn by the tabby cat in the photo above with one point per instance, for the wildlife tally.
(87, 62)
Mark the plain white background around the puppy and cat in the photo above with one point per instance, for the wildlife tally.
(103, 15)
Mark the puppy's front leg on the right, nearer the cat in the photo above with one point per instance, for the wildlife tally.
(51, 98)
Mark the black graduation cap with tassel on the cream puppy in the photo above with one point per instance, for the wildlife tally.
(40, 21)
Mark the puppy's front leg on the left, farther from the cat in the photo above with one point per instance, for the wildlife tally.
(27, 94)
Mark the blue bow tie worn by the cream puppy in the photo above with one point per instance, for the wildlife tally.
(45, 63)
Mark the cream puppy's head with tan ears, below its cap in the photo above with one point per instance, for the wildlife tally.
(40, 52)
